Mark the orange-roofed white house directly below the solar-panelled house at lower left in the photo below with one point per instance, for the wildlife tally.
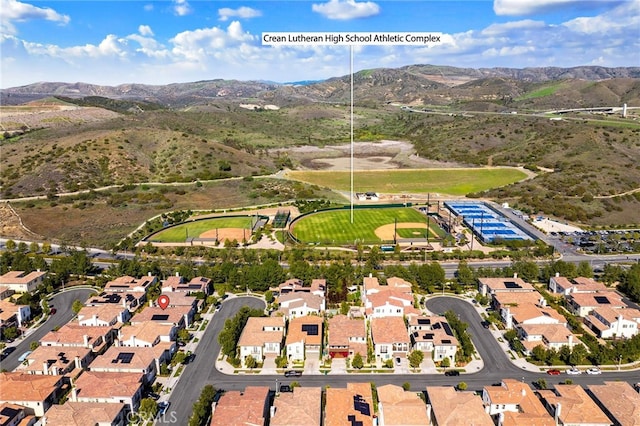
(109, 387)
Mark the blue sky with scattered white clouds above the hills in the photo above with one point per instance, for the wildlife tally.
(171, 41)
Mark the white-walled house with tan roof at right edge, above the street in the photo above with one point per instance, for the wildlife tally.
(609, 323)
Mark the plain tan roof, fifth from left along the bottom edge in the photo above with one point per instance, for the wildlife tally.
(448, 407)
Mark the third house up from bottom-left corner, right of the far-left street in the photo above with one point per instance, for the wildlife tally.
(57, 361)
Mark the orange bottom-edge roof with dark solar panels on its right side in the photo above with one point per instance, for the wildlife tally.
(350, 406)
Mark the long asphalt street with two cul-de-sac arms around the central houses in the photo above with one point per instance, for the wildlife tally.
(497, 365)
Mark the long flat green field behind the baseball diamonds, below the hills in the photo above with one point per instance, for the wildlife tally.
(443, 181)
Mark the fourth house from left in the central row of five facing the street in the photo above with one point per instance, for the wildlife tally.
(390, 337)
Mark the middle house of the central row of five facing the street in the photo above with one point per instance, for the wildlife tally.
(347, 337)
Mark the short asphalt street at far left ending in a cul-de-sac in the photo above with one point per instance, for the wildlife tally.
(62, 302)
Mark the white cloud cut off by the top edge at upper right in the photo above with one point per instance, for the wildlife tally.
(531, 7)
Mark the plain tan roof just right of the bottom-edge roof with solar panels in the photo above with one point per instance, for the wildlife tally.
(396, 407)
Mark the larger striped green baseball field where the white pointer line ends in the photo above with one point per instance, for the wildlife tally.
(370, 226)
